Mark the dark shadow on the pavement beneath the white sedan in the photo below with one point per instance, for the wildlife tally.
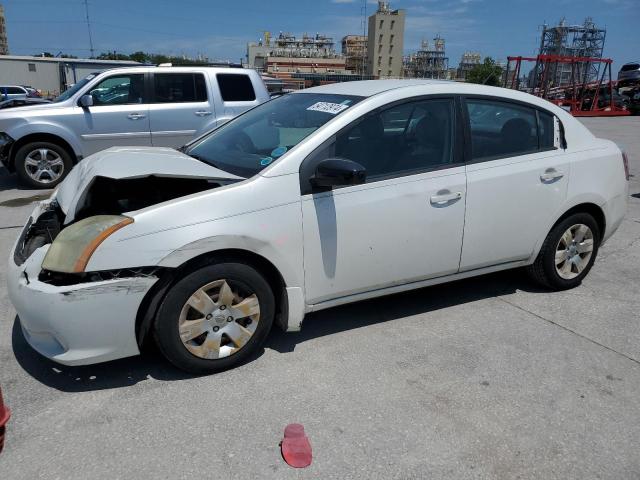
(130, 371)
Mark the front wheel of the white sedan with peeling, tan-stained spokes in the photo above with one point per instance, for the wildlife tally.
(214, 318)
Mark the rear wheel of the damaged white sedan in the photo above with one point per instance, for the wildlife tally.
(568, 253)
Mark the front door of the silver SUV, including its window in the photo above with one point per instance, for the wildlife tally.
(119, 115)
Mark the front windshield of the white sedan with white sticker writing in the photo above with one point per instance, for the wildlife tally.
(256, 139)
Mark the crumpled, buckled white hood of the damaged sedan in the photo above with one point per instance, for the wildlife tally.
(131, 162)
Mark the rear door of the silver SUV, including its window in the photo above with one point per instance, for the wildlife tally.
(180, 108)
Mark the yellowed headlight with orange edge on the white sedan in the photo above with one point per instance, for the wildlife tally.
(72, 248)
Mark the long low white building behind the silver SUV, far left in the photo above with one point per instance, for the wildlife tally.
(51, 75)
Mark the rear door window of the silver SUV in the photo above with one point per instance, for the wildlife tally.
(179, 87)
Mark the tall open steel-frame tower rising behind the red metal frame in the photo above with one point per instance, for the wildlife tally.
(578, 41)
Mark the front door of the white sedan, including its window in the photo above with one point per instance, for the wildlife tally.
(405, 223)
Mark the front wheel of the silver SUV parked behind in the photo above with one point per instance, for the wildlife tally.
(42, 164)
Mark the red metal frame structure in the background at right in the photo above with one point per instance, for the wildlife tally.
(581, 97)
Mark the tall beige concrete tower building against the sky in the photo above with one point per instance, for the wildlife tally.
(385, 42)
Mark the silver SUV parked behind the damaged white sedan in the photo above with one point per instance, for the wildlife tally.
(135, 106)
